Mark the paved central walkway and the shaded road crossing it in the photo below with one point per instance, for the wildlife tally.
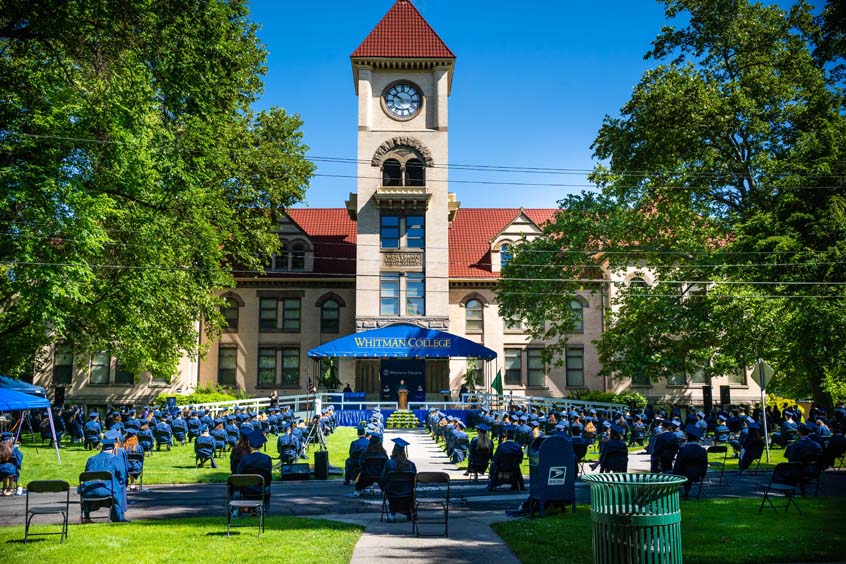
(472, 511)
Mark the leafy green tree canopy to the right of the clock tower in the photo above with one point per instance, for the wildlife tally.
(723, 187)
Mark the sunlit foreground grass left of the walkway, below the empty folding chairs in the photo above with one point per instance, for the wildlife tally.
(286, 539)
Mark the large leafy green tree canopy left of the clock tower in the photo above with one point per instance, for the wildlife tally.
(135, 176)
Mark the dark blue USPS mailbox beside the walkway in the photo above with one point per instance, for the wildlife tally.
(552, 473)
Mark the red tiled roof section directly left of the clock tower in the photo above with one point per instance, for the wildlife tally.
(333, 234)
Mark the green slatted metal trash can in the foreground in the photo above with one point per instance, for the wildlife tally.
(636, 518)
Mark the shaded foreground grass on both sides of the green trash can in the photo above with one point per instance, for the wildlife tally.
(720, 530)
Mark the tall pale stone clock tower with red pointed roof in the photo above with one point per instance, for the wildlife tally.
(403, 76)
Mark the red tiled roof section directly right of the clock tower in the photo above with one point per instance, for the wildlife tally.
(470, 235)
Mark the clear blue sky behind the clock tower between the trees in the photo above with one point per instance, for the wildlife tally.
(533, 81)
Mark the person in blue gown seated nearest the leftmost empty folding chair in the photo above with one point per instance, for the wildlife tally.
(108, 460)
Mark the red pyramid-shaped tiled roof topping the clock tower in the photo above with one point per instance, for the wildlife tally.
(403, 33)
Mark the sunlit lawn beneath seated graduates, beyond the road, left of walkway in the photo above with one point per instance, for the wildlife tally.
(163, 467)
